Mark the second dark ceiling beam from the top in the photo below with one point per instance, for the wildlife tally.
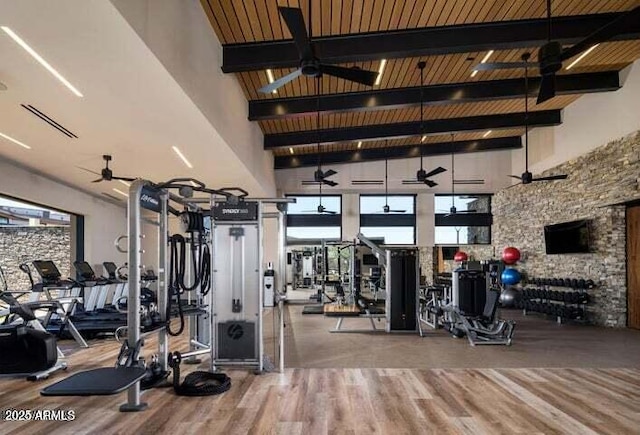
(387, 99)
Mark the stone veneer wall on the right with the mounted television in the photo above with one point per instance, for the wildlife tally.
(605, 176)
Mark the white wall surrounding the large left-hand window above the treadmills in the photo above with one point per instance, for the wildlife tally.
(103, 220)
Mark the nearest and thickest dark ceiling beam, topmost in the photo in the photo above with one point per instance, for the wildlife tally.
(427, 41)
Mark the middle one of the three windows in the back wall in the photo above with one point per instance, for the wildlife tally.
(396, 227)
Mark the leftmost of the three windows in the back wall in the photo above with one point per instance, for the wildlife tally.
(307, 225)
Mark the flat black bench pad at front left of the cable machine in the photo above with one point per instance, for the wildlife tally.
(98, 382)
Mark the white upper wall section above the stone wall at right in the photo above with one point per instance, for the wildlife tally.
(590, 122)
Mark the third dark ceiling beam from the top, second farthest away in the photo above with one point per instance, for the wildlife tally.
(403, 129)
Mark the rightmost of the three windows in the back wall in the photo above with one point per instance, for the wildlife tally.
(469, 225)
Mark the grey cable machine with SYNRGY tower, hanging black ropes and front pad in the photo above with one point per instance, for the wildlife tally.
(214, 278)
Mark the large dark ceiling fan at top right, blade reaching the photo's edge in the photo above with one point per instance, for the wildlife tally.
(551, 54)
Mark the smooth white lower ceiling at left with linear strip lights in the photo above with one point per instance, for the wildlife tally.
(132, 108)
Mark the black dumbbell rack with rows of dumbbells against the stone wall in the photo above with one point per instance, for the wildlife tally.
(550, 300)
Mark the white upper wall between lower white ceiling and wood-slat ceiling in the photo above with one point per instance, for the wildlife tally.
(181, 37)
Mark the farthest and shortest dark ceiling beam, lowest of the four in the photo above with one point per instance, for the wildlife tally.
(398, 152)
